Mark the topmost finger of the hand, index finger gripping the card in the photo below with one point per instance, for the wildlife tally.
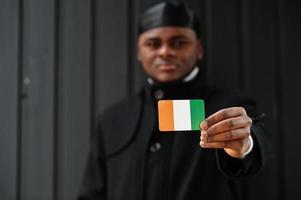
(222, 115)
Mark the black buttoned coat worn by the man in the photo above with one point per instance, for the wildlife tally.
(121, 156)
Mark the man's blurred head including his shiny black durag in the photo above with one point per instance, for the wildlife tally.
(169, 43)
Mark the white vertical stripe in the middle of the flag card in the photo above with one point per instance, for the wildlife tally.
(182, 119)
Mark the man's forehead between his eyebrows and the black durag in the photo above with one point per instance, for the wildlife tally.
(168, 33)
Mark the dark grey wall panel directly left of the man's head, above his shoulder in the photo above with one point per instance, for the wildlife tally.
(111, 51)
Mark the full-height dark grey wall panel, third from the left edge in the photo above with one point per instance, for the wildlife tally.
(74, 94)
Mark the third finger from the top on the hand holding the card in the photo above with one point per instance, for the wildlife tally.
(230, 135)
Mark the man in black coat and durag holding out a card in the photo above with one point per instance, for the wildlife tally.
(131, 159)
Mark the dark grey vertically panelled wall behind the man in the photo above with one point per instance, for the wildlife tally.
(64, 61)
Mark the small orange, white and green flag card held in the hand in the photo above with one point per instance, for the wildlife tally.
(180, 115)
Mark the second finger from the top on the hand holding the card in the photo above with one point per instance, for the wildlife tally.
(229, 124)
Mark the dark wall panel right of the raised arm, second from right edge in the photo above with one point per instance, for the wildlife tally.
(258, 56)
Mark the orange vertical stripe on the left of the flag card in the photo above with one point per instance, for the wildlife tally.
(166, 122)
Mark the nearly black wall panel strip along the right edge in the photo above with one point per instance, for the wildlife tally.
(290, 41)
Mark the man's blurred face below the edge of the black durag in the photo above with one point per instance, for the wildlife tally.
(169, 53)
